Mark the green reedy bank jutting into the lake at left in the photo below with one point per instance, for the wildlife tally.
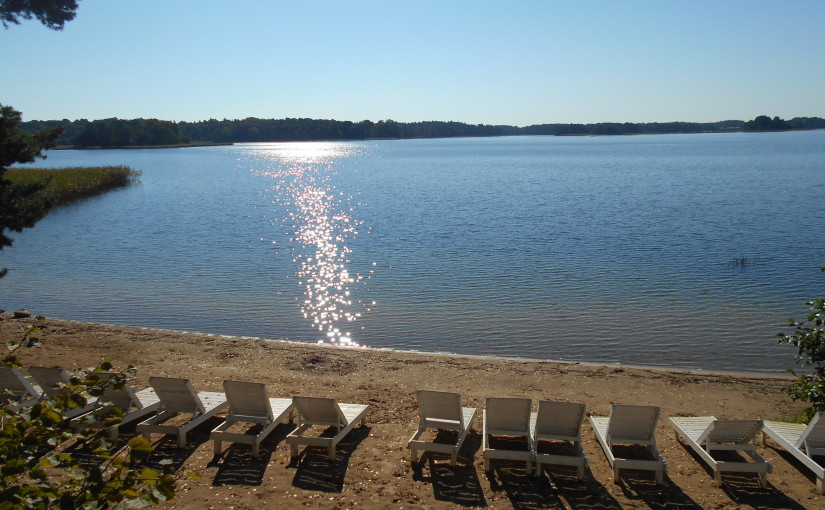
(66, 185)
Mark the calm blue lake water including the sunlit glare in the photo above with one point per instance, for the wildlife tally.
(670, 250)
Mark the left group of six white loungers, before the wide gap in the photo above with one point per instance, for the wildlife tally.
(178, 409)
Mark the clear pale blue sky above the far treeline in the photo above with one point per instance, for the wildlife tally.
(515, 62)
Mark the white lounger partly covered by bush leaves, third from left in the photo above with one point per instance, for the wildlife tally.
(133, 404)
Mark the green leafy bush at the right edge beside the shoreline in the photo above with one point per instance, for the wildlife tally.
(808, 337)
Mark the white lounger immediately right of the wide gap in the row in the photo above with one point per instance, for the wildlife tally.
(442, 411)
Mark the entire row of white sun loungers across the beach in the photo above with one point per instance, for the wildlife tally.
(549, 436)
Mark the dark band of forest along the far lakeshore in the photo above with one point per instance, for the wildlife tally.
(153, 132)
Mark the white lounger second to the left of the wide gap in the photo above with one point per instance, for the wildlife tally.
(250, 403)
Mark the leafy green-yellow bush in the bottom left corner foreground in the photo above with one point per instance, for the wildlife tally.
(37, 471)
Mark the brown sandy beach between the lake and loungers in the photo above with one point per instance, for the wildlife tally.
(372, 469)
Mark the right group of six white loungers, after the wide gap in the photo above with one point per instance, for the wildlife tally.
(628, 428)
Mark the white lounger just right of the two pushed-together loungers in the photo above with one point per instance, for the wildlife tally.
(630, 425)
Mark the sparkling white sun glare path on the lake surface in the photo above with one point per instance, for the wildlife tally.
(317, 222)
